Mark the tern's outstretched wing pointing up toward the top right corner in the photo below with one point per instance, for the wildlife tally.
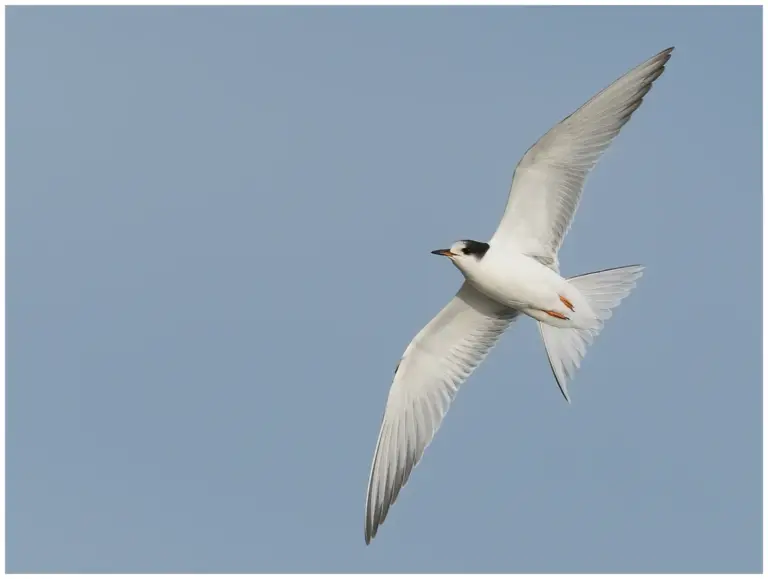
(548, 181)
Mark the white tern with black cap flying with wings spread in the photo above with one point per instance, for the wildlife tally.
(516, 272)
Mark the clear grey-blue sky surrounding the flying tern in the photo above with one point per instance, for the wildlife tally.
(218, 234)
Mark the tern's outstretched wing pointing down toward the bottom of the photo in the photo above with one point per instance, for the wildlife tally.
(438, 360)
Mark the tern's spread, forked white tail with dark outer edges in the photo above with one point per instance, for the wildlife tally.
(604, 290)
